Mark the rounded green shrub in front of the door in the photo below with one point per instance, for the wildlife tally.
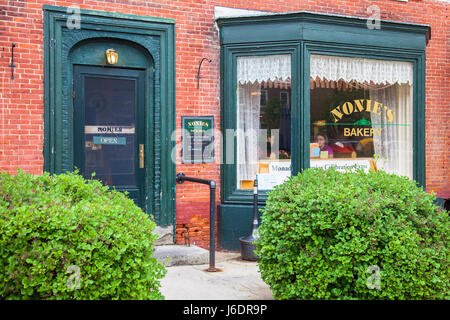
(63, 237)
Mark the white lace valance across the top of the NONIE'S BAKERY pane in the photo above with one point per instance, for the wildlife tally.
(334, 68)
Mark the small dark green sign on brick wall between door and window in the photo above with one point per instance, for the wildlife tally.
(198, 139)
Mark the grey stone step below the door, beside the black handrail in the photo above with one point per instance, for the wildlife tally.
(178, 255)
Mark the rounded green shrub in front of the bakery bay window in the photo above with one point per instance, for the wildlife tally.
(331, 235)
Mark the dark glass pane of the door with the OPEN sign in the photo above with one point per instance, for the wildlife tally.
(110, 143)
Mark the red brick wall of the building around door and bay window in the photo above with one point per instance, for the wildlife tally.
(21, 99)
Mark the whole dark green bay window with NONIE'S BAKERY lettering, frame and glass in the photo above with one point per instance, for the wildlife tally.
(316, 90)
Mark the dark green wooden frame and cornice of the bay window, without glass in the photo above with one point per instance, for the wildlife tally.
(302, 34)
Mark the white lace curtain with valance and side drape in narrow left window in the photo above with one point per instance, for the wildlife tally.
(254, 72)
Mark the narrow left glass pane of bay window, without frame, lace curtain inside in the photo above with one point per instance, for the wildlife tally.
(263, 120)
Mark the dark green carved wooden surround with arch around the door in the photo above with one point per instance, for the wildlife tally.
(155, 35)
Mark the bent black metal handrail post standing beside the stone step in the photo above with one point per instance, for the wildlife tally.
(180, 178)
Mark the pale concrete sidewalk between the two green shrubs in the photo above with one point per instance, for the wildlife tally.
(238, 279)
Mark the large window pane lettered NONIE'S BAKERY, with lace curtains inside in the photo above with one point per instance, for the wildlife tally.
(361, 114)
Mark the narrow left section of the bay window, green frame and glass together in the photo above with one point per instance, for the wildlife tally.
(260, 120)
